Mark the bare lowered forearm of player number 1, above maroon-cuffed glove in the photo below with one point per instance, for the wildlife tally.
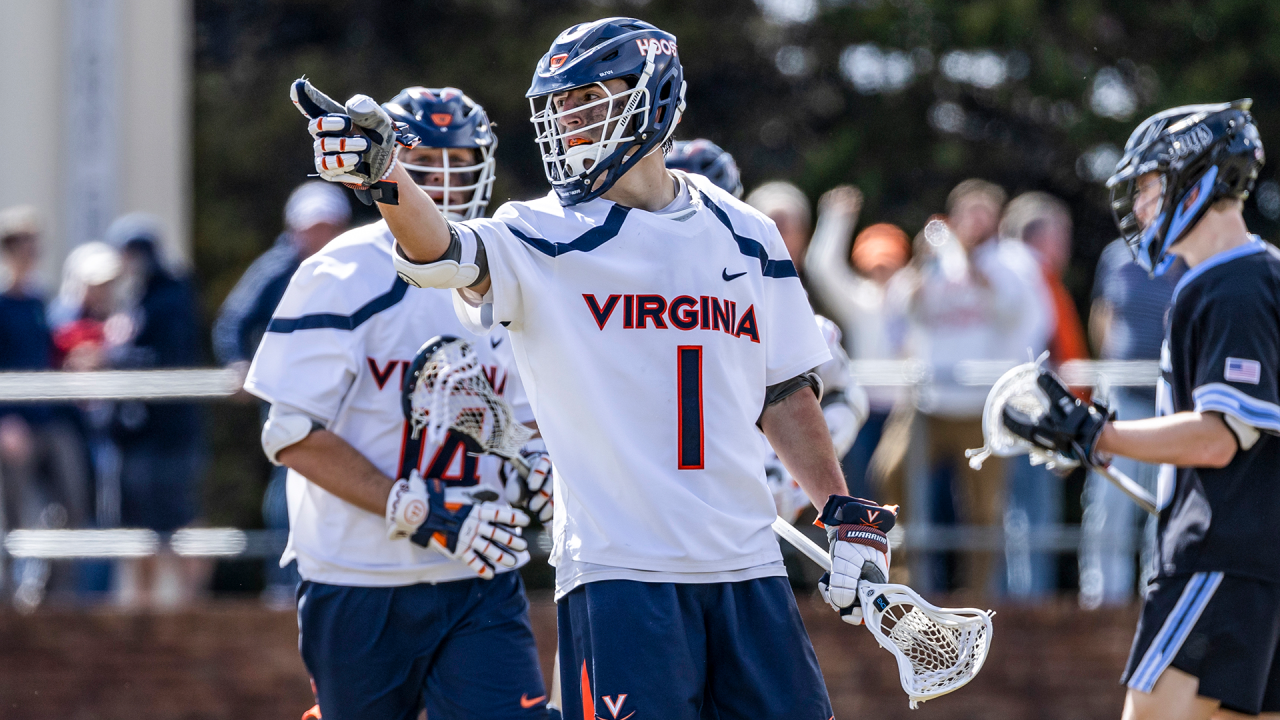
(798, 432)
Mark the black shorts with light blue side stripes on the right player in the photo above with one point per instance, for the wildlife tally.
(1223, 630)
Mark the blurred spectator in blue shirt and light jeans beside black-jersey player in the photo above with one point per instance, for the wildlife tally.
(1127, 322)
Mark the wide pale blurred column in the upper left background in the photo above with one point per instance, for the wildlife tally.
(98, 95)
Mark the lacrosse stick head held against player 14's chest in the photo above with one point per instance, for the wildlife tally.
(446, 389)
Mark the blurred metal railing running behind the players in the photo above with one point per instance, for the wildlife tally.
(213, 385)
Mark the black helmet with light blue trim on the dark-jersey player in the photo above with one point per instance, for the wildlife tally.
(1204, 154)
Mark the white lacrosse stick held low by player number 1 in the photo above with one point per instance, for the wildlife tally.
(939, 650)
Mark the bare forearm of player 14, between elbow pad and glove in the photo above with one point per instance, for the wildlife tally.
(333, 464)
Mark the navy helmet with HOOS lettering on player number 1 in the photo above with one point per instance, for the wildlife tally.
(605, 138)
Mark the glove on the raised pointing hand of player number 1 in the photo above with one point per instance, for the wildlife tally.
(354, 145)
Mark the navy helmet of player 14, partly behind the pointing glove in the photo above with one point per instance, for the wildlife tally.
(445, 117)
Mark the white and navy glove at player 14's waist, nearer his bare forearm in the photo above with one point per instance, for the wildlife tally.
(482, 536)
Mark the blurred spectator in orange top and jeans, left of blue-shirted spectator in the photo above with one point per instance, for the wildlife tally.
(1044, 224)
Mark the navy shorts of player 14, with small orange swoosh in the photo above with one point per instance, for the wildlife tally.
(463, 650)
